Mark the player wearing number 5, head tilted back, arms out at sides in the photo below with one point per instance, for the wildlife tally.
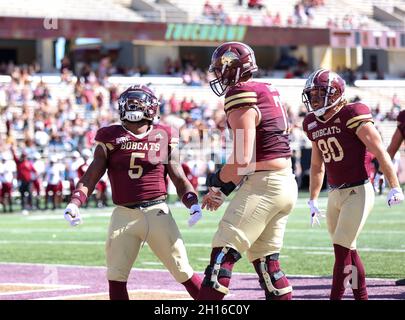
(138, 155)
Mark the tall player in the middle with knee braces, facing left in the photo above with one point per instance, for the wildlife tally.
(256, 217)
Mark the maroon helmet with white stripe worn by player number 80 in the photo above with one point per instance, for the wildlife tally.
(326, 86)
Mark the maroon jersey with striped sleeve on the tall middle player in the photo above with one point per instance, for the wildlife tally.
(272, 132)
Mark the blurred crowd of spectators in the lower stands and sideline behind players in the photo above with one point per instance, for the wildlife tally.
(47, 133)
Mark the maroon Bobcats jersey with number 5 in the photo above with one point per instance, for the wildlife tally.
(136, 164)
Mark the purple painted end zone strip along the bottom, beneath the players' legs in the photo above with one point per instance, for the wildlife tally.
(36, 281)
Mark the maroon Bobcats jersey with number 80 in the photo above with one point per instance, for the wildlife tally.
(343, 152)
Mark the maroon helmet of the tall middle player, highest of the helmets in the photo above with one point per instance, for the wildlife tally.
(231, 62)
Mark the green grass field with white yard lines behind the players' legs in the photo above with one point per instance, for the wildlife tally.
(45, 237)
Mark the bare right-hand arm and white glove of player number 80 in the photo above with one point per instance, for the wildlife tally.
(371, 138)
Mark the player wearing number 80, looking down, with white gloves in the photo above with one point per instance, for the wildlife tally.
(340, 132)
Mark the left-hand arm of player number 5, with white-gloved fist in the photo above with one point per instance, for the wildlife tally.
(85, 186)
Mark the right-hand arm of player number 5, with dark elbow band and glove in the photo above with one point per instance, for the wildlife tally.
(184, 188)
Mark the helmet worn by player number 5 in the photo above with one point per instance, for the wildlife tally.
(136, 103)
